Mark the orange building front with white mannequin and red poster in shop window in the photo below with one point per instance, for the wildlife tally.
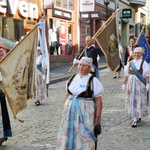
(62, 26)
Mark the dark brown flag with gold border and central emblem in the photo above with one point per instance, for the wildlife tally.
(107, 39)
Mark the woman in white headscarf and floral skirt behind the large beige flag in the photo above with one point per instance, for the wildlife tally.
(40, 78)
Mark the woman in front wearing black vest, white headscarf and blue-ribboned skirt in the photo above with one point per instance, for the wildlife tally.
(82, 110)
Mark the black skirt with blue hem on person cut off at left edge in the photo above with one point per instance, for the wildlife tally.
(5, 128)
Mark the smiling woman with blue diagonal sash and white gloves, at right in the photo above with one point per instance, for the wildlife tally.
(136, 78)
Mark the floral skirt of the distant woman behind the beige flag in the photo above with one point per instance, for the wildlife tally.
(39, 86)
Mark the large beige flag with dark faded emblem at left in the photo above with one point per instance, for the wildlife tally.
(17, 68)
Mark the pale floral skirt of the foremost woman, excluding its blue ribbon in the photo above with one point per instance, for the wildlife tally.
(81, 139)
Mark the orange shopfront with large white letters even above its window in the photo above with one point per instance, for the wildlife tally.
(18, 17)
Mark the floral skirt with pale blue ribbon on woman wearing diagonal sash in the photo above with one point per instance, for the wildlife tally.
(136, 98)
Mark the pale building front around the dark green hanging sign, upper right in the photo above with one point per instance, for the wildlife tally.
(138, 21)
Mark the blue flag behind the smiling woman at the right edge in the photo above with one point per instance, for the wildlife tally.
(142, 42)
